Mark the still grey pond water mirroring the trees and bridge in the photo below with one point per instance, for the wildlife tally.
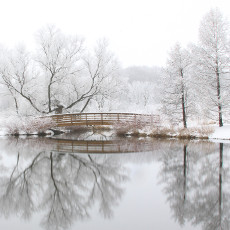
(92, 182)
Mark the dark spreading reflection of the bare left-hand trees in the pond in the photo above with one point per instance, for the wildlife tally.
(63, 185)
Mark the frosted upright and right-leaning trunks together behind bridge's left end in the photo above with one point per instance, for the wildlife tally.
(73, 77)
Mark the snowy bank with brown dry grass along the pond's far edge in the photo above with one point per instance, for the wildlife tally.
(16, 125)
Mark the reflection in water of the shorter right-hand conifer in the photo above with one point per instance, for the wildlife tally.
(175, 172)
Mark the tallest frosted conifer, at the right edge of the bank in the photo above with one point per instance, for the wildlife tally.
(211, 62)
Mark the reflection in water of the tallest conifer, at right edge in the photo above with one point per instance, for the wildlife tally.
(211, 200)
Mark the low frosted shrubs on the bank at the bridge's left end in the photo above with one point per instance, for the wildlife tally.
(28, 125)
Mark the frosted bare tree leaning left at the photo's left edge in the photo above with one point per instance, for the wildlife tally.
(18, 77)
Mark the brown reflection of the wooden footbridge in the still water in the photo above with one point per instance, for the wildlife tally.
(101, 142)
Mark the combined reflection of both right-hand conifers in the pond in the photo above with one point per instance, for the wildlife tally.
(196, 183)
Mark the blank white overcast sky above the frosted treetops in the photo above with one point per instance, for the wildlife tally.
(140, 32)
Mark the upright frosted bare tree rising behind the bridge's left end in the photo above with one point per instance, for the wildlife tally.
(58, 61)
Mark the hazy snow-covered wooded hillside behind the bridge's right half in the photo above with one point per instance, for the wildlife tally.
(141, 88)
